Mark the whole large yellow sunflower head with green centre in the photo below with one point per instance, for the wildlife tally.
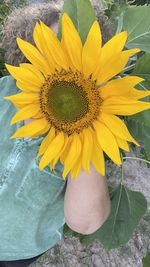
(69, 91)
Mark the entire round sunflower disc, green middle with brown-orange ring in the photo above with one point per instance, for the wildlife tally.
(69, 101)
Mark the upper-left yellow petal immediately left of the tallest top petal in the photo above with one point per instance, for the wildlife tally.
(54, 47)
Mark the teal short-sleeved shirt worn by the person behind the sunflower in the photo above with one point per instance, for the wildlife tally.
(31, 201)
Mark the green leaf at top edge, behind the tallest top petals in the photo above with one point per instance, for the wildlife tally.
(82, 15)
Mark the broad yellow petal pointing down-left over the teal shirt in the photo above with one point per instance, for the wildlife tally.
(52, 151)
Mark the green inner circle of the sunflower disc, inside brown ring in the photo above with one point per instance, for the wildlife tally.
(67, 101)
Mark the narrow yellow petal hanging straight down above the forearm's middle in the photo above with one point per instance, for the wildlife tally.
(87, 148)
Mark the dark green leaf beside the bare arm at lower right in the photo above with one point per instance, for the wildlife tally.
(128, 207)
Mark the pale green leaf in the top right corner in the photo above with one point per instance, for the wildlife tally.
(137, 24)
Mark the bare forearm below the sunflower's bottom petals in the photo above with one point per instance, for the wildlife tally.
(87, 203)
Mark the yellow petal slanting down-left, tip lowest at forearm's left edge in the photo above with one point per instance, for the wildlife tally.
(73, 154)
